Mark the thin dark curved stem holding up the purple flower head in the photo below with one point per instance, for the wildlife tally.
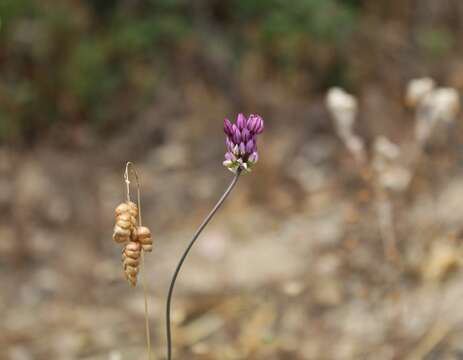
(185, 254)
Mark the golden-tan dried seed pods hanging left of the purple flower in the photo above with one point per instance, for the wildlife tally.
(134, 238)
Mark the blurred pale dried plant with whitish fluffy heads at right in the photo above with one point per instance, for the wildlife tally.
(389, 169)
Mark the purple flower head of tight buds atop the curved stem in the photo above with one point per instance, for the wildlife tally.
(241, 142)
